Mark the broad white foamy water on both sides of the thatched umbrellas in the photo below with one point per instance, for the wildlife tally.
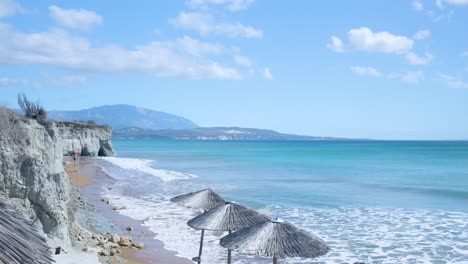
(373, 235)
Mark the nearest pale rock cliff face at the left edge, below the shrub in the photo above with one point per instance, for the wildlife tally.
(32, 179)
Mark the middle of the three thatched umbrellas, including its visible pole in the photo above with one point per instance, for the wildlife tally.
(229, 217)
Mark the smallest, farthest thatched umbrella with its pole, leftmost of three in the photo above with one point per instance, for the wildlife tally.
(203, 199)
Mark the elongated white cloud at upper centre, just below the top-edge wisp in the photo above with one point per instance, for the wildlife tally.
(204, 24)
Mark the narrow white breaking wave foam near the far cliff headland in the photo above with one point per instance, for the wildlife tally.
(144, 166)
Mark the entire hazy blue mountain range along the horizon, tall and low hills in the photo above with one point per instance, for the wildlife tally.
(131, 122)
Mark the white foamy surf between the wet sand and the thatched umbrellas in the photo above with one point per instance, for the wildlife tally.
(169, 222)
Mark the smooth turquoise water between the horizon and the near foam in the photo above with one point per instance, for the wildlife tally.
(397, 174)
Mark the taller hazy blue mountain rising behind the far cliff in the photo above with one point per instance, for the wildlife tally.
(124, 116)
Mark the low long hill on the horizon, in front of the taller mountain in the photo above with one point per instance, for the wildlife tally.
(209, 133)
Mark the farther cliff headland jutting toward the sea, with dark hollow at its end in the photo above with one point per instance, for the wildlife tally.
(91, 140)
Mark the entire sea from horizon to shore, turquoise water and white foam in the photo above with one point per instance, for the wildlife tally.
(371, 201)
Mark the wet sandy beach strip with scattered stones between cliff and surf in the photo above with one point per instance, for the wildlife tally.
(90, 181)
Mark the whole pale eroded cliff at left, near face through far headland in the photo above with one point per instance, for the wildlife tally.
(32, 177)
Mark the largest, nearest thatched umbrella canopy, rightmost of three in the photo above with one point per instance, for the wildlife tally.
(276, 239)
